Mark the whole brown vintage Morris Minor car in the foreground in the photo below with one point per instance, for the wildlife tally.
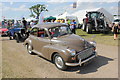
(56, 42)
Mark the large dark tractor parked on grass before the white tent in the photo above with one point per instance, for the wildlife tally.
(95, 21)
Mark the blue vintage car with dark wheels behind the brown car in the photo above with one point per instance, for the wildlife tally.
(18, 33)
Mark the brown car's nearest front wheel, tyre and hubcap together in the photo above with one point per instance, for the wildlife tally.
(59, 62)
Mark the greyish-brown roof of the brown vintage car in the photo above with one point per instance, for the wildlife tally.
(49, 25)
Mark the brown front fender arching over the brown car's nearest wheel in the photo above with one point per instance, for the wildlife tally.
(49, 50)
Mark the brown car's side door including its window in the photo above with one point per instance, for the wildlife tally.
(43, 42)
